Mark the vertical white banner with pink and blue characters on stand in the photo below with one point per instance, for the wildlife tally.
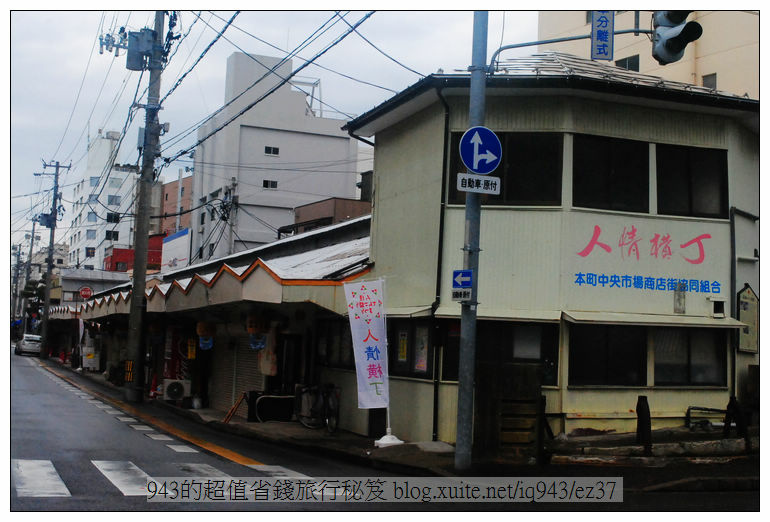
(366, 311)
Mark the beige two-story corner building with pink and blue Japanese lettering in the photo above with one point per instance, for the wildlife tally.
(626, 225)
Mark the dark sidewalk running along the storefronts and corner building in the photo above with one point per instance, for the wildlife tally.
(686, 460)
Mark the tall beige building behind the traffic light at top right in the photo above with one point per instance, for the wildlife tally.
(725, 57)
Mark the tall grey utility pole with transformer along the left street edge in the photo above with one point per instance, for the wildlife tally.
(135, 372)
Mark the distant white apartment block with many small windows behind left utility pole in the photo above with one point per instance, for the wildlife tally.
(102, 205)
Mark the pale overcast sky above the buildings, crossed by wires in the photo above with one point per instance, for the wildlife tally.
(63, 90)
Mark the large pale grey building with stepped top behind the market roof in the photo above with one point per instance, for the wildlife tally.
(275, 157)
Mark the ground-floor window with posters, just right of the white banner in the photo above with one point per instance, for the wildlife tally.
(410, 350)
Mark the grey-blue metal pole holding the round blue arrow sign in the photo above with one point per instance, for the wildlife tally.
(467, 370)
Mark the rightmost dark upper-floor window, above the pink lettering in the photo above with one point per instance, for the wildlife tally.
(692, 181)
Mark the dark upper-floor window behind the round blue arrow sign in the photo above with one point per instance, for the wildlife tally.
(530, 171)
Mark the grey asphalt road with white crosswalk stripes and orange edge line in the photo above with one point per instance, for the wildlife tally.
(72, 449)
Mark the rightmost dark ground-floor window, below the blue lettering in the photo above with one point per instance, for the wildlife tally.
(685, 356)
